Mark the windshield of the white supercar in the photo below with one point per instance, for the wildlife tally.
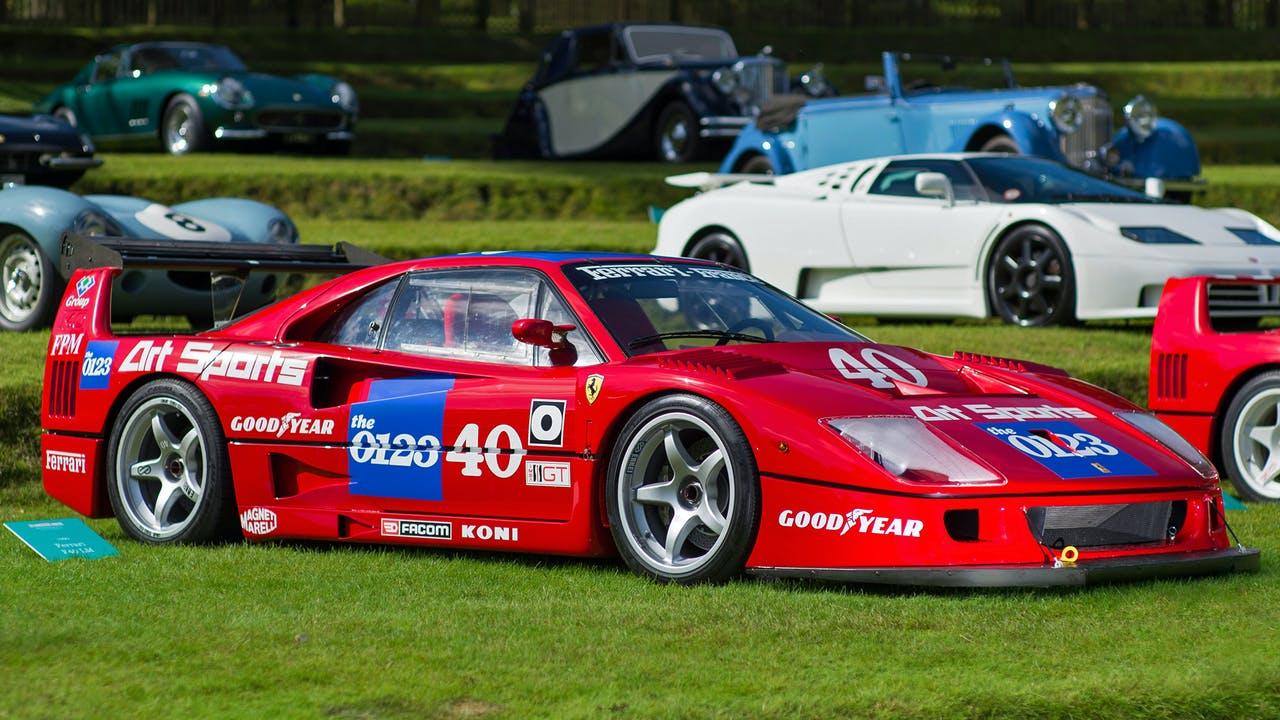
(1031, 180)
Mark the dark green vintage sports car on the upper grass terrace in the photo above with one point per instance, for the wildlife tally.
(191, 97)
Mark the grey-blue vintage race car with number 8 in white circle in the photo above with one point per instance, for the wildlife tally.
(33, 222)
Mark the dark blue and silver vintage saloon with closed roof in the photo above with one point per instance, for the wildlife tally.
(665, 92)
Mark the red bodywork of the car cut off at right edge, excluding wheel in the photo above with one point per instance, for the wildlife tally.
(1195, 368)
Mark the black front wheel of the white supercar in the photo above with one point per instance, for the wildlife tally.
(1031, 281)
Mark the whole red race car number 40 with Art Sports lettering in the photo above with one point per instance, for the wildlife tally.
(682, 414)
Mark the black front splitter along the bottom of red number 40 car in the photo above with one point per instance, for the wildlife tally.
(1110, 571)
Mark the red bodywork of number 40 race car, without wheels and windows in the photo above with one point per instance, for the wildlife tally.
(294, 412)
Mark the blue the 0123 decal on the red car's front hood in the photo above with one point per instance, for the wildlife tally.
(1066, 450)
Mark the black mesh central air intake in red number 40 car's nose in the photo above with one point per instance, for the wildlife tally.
(1107, 526)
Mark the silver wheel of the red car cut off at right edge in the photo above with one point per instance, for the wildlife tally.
(1251, 430)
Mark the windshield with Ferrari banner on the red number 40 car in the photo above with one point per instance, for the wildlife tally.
(657, 307)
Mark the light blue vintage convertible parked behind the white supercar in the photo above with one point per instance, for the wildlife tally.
(911, 110)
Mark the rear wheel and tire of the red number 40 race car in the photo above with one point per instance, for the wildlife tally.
(168, 476)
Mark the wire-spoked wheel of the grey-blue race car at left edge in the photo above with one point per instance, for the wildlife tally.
(29, 282)
